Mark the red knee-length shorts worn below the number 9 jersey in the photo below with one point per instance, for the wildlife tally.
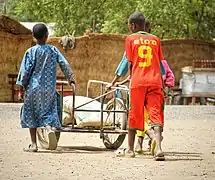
(150, 97)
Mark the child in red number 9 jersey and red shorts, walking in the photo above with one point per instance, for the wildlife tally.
(144, 53)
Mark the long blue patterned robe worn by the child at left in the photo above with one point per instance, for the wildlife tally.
(38, 77)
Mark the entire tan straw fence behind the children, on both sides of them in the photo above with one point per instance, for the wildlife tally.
(94, 57)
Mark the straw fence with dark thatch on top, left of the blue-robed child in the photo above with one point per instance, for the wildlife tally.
(14, 40)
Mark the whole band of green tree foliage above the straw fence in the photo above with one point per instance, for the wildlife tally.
(169, 18)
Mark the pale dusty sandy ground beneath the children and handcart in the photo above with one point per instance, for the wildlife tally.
(189, 145)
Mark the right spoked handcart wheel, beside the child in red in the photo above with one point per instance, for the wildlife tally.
(114, 141)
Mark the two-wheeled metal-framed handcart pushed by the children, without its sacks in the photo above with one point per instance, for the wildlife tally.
(113, 134)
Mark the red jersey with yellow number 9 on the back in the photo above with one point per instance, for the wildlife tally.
(144, 52)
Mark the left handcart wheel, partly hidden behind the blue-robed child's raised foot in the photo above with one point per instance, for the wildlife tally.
(43, 137)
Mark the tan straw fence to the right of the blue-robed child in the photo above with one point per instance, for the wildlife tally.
(97, 56)
